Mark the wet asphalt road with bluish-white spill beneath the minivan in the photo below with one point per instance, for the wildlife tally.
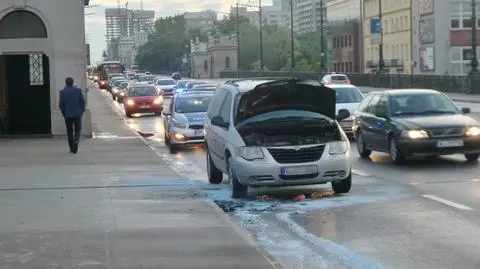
(421, 215)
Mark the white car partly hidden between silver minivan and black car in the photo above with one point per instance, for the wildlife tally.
(347, 97)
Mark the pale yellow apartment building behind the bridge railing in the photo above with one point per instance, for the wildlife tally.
(396, 32)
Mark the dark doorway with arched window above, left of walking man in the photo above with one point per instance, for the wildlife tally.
(24, 78)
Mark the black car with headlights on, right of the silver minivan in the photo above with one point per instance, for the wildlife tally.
(414, 122)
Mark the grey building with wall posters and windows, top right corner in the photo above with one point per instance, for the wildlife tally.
(442, 38)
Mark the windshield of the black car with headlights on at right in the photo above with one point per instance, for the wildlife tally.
(421, 104)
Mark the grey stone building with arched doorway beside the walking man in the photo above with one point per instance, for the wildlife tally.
(37, 53)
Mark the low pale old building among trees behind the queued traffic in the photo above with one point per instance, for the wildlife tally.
(217, 55)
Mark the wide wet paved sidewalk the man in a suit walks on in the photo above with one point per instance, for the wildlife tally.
(113, 205)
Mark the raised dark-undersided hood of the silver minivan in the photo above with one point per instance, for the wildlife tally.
(288, 94)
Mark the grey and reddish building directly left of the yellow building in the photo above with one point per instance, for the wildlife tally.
(345, 36)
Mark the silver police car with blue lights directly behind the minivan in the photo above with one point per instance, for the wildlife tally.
(184, 119)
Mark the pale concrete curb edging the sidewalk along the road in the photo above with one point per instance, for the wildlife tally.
(238, 229)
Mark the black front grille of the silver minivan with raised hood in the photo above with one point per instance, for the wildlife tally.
(302, 155)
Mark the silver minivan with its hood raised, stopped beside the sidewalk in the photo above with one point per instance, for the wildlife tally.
(266, 133)
